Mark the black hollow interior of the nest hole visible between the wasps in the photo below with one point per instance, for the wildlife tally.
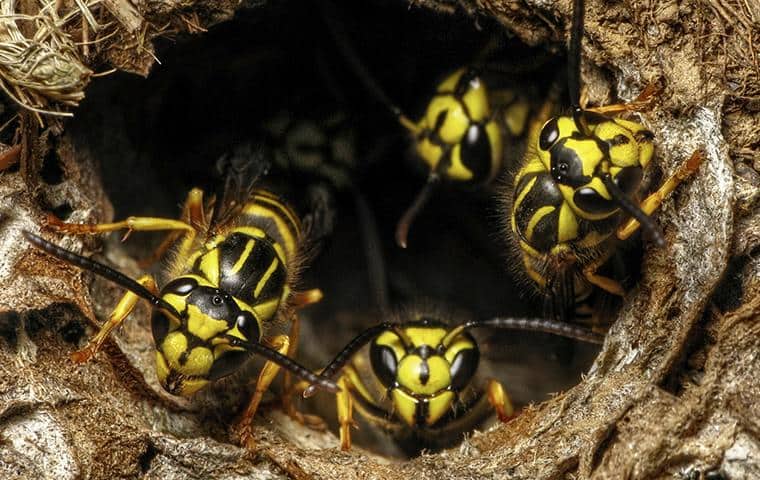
(155, 138)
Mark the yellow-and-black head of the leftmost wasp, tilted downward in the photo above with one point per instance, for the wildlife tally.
(192, 351)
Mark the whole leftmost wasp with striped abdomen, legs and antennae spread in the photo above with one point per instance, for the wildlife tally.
(236, 258)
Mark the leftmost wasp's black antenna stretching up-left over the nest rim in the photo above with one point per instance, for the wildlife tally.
(99, 269)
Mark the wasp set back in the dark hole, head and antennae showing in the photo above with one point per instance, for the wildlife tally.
(461, 135)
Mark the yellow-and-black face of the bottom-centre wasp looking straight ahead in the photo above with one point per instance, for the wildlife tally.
(423, 378)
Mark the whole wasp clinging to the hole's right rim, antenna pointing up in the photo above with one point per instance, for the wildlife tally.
(581, 174)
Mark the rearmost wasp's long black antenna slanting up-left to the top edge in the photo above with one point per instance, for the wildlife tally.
(339, 35)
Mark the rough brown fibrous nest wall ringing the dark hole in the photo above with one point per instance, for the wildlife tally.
(673, 393)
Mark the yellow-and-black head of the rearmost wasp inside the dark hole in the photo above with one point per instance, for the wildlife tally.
(458, 137)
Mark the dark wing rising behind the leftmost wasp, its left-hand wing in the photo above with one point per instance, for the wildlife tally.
(239, 171)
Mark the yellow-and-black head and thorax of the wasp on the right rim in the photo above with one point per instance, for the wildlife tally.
(559, 196)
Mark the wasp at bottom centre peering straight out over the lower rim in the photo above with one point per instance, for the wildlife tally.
(421, 379)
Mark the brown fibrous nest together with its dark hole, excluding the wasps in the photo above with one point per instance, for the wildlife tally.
(672, 392)
